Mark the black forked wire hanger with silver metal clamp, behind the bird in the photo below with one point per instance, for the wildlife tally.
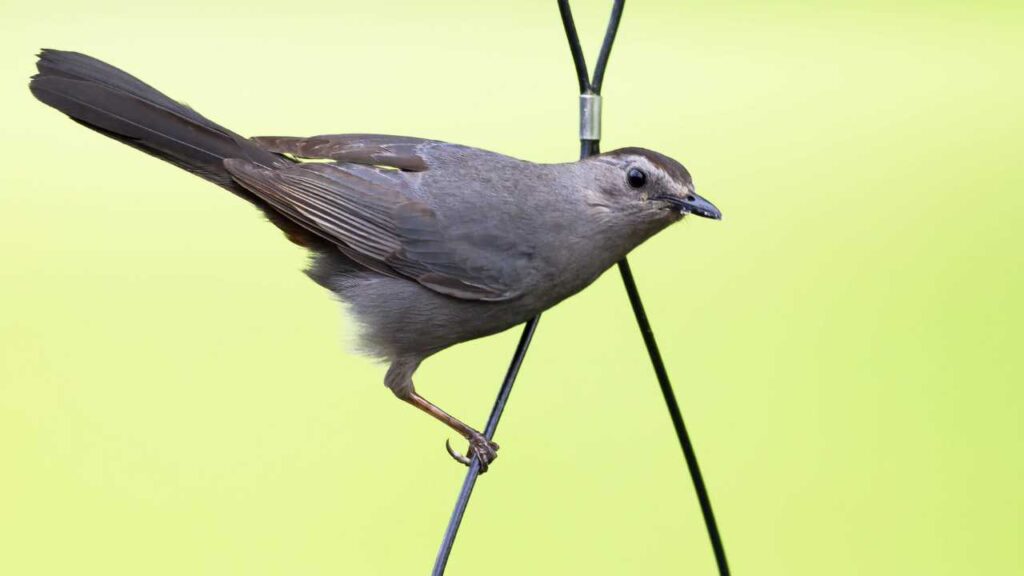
(590, 138)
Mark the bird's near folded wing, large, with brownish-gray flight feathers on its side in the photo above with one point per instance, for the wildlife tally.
(369, 214)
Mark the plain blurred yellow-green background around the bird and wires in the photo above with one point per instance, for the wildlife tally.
(176, 396)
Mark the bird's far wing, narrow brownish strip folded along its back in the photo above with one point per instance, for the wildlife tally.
(404, 153)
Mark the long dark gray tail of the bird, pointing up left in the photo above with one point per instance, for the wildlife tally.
(122, 107)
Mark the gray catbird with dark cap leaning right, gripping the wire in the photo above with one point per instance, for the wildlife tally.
(431, 244)
